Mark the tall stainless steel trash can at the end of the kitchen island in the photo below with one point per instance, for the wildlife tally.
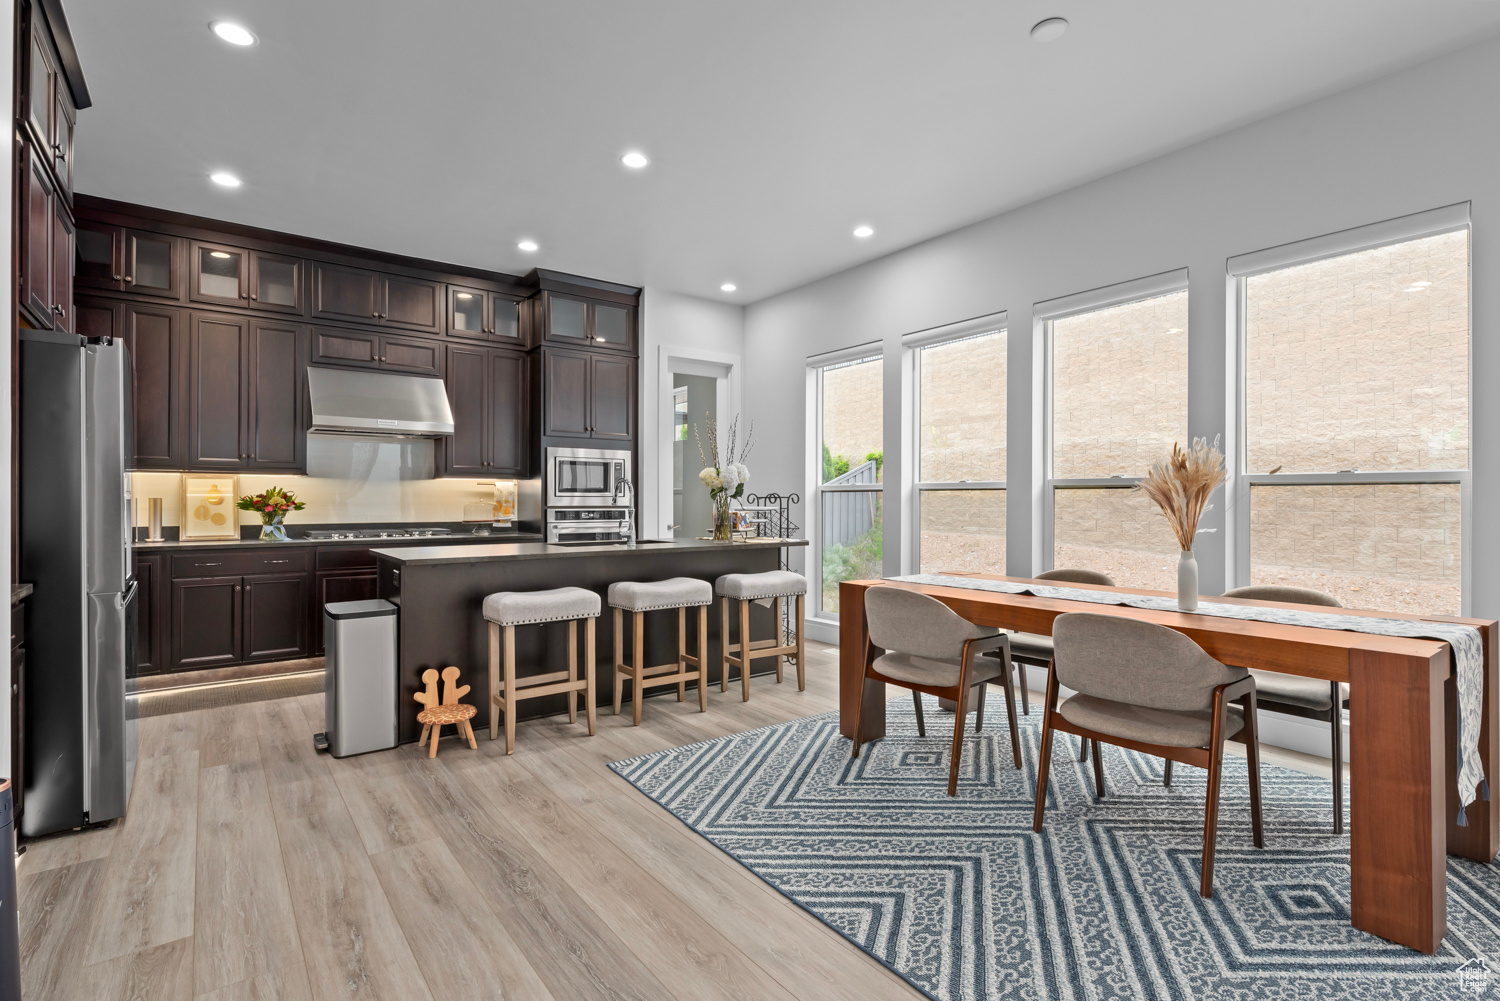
(359, 642)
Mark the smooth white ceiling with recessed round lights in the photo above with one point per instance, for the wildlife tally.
(452, 128)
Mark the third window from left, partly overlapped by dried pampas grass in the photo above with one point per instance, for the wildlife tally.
(1120, 401)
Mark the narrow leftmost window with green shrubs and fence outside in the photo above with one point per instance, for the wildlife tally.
(850, 415)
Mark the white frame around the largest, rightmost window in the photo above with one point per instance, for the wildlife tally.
(1246, 266)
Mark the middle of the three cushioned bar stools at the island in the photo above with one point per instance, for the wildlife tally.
(640, 598)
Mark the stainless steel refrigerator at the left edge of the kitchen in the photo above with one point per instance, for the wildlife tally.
(76, 550)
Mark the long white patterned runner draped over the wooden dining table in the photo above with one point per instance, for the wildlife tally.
(1465, 642)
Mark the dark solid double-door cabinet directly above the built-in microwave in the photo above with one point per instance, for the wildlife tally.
(587, 395)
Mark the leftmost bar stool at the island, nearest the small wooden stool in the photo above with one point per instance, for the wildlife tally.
(508, 610)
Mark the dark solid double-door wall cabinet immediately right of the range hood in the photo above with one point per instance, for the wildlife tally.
(488, 391)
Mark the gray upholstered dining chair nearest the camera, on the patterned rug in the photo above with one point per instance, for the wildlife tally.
(1148, 688)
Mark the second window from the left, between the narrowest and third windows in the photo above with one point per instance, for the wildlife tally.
(961, 454)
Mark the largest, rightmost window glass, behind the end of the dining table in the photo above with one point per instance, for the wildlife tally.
(1355, 413)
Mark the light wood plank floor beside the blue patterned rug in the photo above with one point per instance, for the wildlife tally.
(251, 868)
